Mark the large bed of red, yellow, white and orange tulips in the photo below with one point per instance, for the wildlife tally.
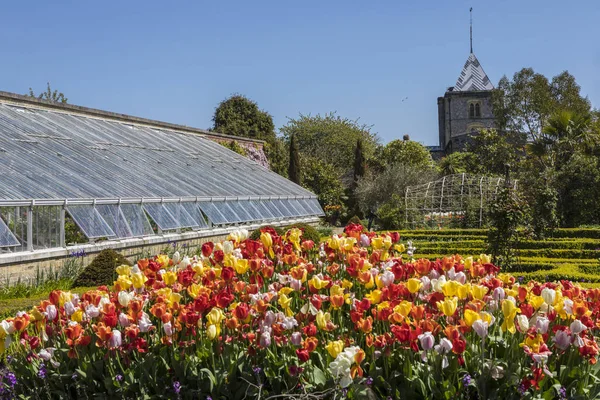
(351, 317)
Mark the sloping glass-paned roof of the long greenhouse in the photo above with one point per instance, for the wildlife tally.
(51, 151)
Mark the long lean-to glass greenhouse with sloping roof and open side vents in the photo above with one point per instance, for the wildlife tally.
(118, 177)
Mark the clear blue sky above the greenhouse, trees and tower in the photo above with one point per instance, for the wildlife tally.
(174, 61)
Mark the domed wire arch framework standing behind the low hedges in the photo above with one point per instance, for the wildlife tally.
(459, 200)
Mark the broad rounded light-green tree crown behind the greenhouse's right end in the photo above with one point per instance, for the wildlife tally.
(330, 139)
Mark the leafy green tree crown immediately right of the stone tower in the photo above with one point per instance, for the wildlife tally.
(526, 103)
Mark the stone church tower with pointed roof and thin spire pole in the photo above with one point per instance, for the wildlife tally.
(466, 107)
